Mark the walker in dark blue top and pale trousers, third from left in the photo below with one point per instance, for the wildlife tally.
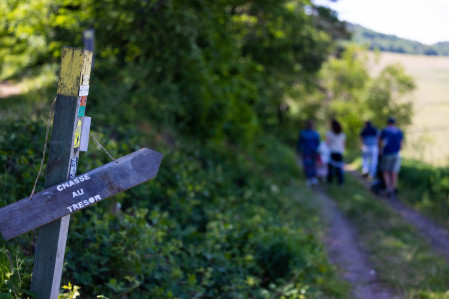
(370, 150)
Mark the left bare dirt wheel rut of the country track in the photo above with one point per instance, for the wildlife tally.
(345, 252)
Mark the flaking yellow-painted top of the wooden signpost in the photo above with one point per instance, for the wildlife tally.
(74, 64)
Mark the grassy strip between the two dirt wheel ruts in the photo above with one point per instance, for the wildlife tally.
(401, 257)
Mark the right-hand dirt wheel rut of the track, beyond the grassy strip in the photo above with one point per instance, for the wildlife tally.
(438, 237)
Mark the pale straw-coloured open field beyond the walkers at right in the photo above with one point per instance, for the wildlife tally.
(428, 137)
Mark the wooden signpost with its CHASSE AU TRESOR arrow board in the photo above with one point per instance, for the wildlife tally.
(66, 193)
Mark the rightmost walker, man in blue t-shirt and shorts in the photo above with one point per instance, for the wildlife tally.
(391, 143)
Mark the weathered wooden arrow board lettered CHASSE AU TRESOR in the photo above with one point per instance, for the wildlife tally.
(76, 194)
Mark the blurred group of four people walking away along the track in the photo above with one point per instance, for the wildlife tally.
(324, 159)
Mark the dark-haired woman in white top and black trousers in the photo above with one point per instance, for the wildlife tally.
(335, 139)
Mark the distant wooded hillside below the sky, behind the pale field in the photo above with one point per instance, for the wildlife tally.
(391, 43)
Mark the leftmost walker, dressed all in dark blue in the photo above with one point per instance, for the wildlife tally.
(307, 148)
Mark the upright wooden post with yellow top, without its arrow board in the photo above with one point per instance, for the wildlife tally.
(63, 156)
